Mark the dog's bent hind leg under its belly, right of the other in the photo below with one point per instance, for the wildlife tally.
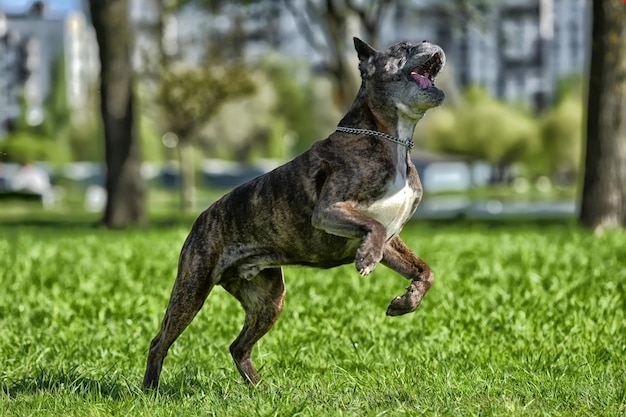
(262, 299)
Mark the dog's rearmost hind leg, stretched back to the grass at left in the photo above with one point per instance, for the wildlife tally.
(191, 288)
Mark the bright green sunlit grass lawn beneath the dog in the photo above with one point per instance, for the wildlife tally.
(523, 320)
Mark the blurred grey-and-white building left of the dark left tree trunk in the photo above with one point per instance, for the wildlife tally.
(32, 41)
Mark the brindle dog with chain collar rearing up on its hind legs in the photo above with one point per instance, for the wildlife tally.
(344, 200)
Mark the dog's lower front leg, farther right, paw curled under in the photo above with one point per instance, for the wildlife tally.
(401, 259)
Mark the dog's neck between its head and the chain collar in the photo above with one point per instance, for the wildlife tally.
(400, 124)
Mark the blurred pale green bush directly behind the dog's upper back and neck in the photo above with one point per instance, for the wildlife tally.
(284, 116)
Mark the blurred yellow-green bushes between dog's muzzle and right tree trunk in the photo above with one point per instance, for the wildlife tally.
(508, 135)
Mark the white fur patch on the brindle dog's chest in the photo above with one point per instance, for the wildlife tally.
(394, 208)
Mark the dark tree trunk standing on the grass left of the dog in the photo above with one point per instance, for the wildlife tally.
(126, 194)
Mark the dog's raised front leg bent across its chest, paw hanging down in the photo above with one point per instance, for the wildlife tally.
(342, 219)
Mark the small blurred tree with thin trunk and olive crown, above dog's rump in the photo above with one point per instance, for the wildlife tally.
(188, 98)
